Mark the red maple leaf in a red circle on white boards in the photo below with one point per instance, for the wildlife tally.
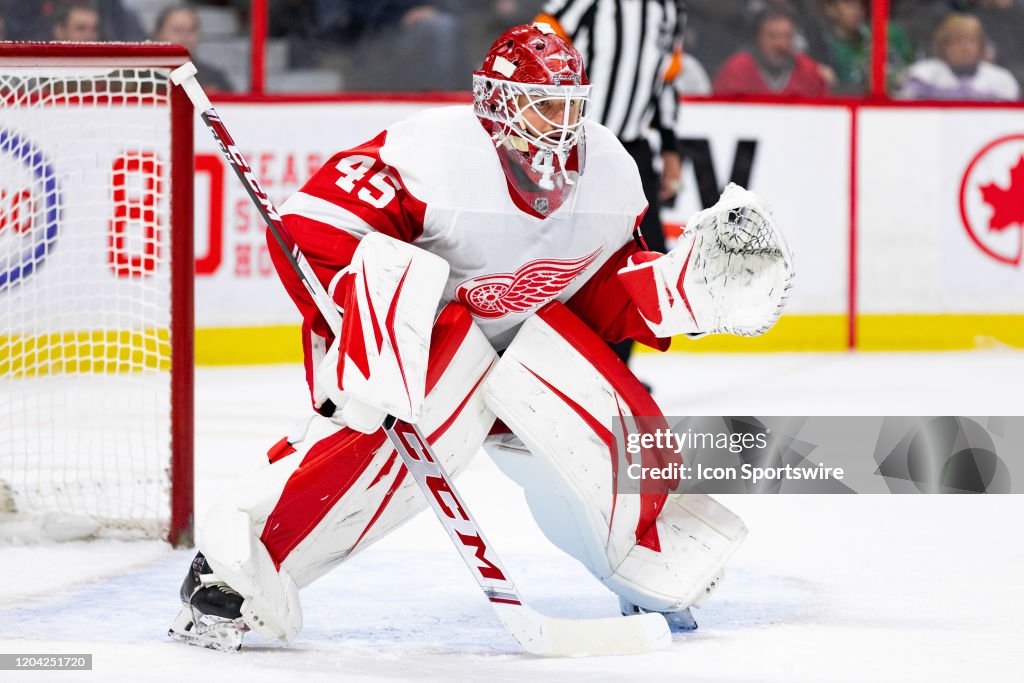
(992, 200)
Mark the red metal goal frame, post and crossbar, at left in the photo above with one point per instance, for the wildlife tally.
(159, 56)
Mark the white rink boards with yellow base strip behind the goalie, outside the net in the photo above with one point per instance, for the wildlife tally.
(907, 223)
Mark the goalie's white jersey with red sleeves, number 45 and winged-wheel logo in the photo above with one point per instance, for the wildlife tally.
(435, 180)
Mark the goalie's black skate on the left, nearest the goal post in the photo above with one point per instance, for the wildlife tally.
(211, 616)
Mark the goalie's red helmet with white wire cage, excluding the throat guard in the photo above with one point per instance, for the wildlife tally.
(533, 86)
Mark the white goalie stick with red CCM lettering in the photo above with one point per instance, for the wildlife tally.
(536, 633)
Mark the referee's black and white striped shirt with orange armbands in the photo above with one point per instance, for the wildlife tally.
(631, 50)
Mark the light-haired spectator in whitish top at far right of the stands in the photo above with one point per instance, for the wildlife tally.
(958, 70)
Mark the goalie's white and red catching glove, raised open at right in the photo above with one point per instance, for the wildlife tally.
(731, 273)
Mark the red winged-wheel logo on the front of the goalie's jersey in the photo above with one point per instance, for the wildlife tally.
(532, 286)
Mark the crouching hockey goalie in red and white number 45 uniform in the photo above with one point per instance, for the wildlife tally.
(483, 259)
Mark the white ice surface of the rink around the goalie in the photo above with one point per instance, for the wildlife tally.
(860, 588)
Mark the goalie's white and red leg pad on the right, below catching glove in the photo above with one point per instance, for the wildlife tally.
(559, 388)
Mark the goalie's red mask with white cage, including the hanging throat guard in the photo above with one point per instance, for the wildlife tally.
(532, 95)
